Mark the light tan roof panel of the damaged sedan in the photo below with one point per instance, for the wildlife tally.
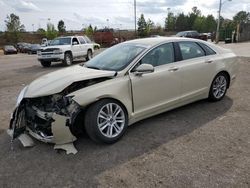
(149, 42)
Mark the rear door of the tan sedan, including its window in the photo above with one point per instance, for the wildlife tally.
(196, 69)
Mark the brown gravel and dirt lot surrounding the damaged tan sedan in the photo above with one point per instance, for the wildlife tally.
(199, 145)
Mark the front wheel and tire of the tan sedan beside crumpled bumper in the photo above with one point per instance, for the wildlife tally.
(96, 116)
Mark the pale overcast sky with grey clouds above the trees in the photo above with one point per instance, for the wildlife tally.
(113, 13)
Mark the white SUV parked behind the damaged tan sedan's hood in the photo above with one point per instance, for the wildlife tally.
(66, 49)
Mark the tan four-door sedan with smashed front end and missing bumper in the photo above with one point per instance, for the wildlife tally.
(124, 84)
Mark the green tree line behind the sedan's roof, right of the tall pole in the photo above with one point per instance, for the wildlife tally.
(194, 20)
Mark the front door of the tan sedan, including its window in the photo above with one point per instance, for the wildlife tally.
(155, 91)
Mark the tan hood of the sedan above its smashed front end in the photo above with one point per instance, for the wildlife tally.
(56, 81)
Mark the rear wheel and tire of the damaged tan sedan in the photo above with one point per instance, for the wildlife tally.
(219, 87)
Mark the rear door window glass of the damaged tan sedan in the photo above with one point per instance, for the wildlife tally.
(190, 50)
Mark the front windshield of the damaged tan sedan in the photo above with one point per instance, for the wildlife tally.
(116, 58)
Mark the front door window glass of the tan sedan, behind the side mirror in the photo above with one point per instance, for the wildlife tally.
(160, 55)
